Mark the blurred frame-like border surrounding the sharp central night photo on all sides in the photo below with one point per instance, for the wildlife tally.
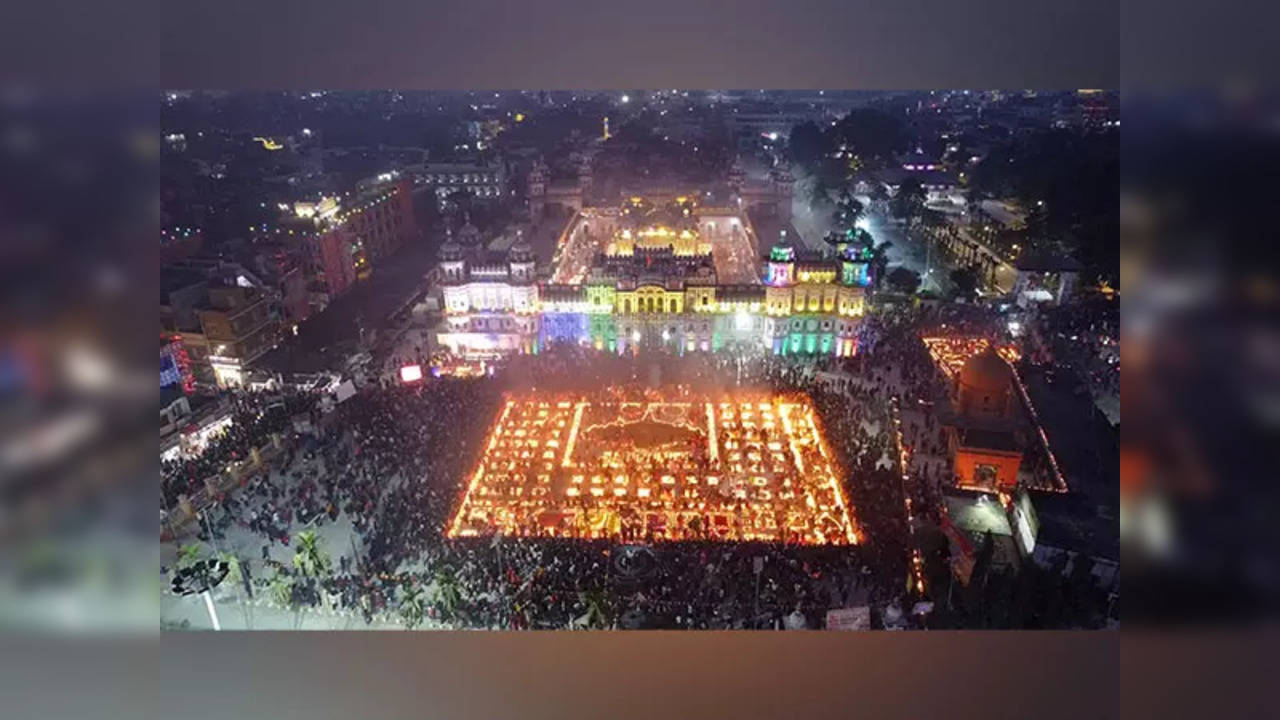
(79, 275)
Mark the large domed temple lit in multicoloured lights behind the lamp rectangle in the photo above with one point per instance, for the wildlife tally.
(659, 272)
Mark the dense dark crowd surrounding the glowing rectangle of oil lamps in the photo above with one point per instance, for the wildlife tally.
(394, 462)
